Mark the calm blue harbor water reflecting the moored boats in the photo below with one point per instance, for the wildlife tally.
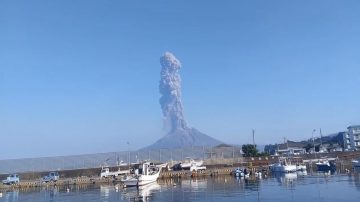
(282, 187)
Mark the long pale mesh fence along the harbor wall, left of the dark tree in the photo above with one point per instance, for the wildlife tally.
(224, 154)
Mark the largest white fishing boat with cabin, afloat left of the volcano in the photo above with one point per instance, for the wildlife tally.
(145, 174)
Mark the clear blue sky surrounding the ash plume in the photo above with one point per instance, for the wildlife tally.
(82, 76)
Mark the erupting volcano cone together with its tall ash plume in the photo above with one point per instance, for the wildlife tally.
(178, 133)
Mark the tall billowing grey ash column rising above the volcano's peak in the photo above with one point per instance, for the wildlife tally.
(170, 89)
